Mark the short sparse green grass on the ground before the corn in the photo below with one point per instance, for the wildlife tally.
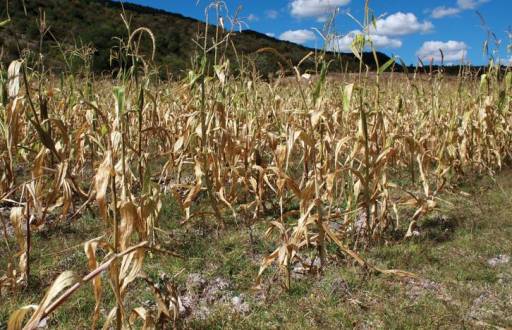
(451, 253)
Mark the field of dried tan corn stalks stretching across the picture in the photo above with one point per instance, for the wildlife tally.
(369, 152)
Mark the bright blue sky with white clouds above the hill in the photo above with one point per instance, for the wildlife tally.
(407, 28)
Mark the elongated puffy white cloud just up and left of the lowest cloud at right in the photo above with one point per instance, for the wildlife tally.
(400, 24)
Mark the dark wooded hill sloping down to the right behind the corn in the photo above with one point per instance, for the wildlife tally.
(75, 23)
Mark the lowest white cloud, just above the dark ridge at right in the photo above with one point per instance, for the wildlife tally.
(452, 50)
